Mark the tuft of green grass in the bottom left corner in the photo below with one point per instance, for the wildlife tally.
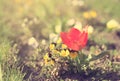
(8, 63)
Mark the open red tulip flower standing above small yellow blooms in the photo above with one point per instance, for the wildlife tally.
(75, 39)
